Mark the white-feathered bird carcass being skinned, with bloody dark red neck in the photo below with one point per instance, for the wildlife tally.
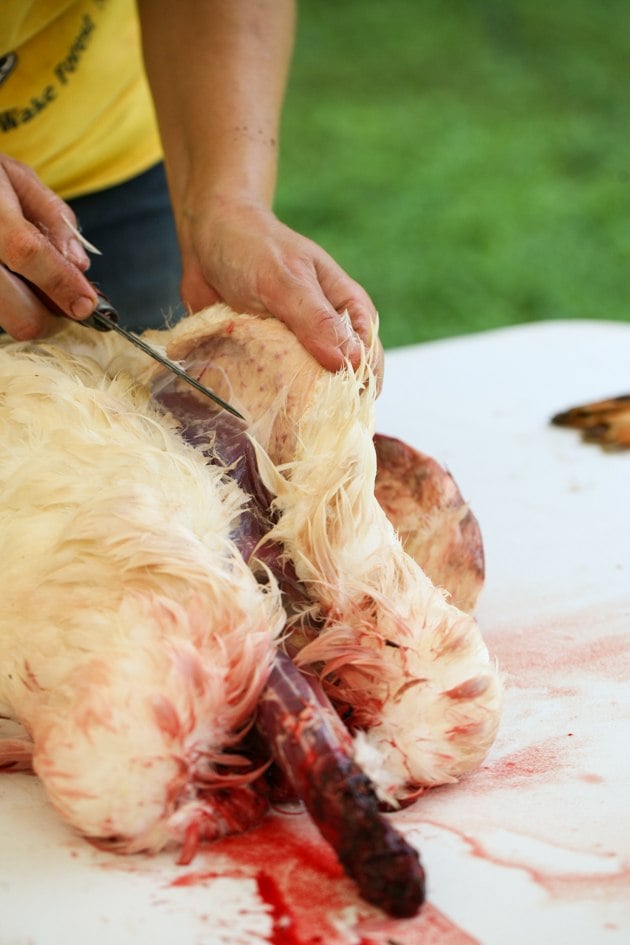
(156, 553)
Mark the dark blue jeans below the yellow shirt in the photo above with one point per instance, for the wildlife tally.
(139, 272)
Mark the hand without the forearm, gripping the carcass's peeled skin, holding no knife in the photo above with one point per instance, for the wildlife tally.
(240, 253)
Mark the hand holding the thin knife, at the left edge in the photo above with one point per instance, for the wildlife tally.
(37, 243)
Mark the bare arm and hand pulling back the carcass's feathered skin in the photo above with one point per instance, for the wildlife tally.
(218, 71)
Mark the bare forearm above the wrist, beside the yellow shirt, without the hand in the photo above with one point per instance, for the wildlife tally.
(218, 72)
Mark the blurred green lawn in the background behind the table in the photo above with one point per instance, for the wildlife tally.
(468, 161)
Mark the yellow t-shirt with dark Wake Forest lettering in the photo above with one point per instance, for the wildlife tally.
(74, 100)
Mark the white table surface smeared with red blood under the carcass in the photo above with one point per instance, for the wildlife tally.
(535, 846)
